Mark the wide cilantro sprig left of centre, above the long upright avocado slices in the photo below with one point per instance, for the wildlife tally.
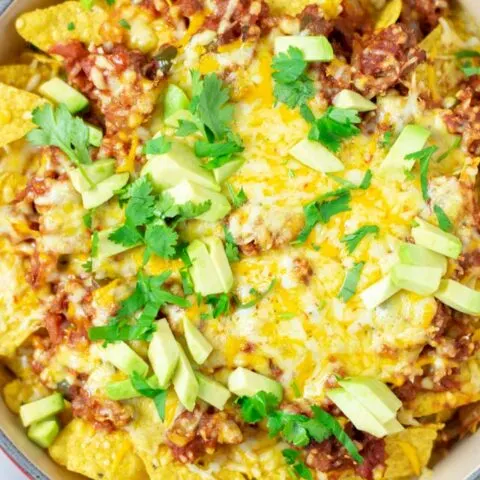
(135, 320)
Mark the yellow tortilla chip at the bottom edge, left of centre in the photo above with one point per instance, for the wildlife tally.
(97, 454)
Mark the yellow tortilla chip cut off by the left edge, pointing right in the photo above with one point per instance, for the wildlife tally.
(15, 117)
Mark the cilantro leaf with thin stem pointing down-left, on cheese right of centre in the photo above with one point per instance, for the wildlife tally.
(322, 210)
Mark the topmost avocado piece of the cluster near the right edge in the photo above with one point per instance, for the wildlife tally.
(436, 239)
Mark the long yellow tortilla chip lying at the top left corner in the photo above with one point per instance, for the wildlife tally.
(46, 27)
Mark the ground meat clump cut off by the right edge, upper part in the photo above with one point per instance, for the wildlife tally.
(464, 119)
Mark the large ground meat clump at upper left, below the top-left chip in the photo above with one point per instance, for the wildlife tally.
(121, 83)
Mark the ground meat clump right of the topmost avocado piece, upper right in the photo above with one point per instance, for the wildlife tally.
(384, 58)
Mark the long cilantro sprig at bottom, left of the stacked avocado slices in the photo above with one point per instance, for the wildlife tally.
(297, 429)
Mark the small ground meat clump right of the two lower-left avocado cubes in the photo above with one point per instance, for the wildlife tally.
(102, 414)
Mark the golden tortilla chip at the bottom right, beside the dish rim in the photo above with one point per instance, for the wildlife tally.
(408, 452)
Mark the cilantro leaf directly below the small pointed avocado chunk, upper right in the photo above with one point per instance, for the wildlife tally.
(335, 125)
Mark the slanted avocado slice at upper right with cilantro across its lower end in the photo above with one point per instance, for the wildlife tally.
(412, 139)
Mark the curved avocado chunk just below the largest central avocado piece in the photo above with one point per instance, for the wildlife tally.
(187, 191)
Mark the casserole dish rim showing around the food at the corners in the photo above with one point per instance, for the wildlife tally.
(461, 463)
